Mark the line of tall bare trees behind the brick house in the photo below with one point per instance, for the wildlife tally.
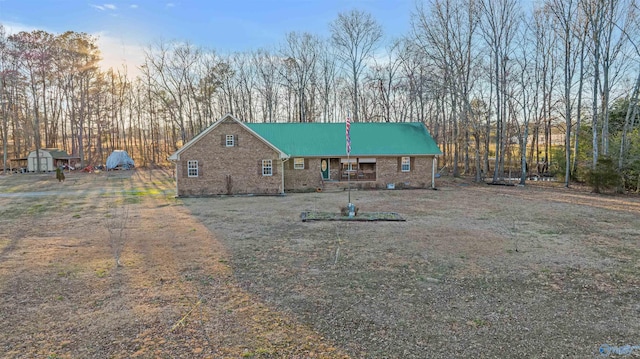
(501, 88)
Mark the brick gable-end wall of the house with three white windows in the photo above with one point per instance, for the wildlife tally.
(228, 170)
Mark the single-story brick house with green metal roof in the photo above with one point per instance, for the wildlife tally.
(232, 157)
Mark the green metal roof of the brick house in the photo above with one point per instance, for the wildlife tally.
(367, 138)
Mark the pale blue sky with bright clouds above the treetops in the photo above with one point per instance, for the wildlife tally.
(125, 27)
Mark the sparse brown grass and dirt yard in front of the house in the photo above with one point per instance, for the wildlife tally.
(475, 271)
